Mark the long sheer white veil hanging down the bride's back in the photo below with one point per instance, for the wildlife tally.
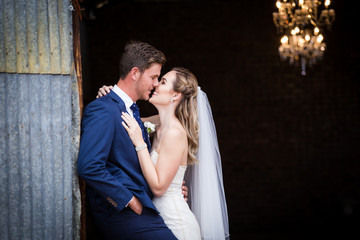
(206, 191)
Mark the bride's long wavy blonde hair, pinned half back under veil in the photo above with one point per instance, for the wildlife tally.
(186, 111)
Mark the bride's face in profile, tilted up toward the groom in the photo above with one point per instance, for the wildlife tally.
(164, 92)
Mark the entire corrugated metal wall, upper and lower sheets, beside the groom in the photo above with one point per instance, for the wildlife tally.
(39, 122)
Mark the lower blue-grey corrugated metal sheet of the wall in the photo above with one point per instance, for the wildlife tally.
(37, 158)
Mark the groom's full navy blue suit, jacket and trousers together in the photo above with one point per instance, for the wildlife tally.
(109, 165)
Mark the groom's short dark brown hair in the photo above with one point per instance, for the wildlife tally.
(141, 55)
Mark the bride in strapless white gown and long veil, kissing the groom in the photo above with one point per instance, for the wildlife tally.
(185, 139)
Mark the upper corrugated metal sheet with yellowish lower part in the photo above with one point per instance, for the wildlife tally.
(36, 36)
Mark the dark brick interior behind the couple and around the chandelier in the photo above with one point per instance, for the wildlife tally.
(289, 143)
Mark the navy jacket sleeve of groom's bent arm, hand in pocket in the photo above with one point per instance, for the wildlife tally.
(95, 144)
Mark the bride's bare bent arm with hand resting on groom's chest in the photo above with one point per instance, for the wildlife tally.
(160, 176)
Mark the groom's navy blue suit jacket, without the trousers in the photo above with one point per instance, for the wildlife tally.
(107, 160)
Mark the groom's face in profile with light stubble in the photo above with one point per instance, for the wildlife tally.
(148, 81)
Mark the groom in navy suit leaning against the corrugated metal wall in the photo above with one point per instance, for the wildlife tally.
(117, 193)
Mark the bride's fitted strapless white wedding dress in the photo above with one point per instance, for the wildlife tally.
(174, 209)
